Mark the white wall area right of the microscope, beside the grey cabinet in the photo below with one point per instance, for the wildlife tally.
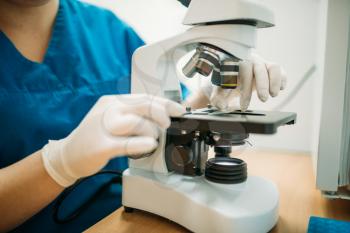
(292, 43)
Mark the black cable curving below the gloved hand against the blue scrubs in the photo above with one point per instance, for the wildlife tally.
(84, 206)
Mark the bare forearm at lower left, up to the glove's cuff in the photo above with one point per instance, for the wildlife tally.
(25, 189)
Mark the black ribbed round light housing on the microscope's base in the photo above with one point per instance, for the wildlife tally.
(225, 170)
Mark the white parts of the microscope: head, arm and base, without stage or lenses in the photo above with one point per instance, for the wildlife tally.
(193, 202)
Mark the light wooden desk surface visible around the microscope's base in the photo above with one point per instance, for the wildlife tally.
(299, 198)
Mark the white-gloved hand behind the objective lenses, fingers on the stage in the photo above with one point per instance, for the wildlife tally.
(267, 78)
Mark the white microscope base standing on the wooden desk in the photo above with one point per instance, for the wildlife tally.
(202, 206)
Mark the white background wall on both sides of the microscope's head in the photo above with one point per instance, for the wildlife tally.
(292, 43)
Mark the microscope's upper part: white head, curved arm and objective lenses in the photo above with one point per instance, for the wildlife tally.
(223, 33)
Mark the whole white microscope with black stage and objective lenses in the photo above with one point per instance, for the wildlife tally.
(179, 181)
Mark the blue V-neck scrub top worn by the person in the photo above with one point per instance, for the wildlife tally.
(89, 56)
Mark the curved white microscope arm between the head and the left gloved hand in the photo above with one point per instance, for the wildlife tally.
(154, 66)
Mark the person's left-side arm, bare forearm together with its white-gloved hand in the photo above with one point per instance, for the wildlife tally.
(117, 125)
